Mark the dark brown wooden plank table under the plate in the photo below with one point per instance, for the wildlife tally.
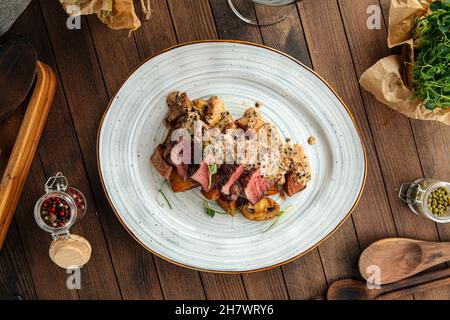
(329, 35)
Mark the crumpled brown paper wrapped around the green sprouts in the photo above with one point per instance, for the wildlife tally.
(390, 79)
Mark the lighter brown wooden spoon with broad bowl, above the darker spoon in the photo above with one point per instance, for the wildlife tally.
(398, 259)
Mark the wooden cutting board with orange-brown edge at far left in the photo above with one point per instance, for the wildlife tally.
(19, 138)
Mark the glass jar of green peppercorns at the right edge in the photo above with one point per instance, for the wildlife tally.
(428, 197)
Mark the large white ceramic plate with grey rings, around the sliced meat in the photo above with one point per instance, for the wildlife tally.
(294, 98)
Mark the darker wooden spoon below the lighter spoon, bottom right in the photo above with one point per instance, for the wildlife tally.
(349, 289)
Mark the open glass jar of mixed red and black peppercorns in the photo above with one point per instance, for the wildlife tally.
(60, 207)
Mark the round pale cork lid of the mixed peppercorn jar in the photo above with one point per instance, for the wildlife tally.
(70, 253)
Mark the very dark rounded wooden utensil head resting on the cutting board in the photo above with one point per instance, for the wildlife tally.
(17, 72)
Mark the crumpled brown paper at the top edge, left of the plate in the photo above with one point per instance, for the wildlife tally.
(117, 14)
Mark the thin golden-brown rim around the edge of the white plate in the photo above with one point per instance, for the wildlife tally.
(219, 271)
